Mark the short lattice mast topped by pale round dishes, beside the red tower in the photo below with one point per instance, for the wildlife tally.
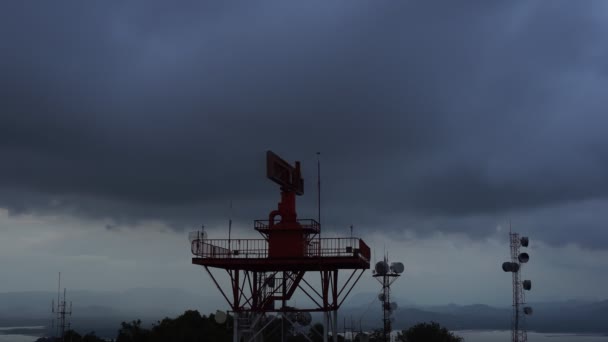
(387, 275)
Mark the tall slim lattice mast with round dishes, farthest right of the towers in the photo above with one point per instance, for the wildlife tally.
(518, 324)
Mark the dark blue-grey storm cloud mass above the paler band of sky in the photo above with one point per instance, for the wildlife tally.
(157, 110)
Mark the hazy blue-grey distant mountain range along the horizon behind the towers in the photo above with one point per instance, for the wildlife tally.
(102, 312)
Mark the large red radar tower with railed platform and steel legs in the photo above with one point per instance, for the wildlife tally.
(265, 274)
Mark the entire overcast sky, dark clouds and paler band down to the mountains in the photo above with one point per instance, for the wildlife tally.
(124, 125)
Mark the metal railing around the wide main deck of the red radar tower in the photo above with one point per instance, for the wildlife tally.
(258, 248)
